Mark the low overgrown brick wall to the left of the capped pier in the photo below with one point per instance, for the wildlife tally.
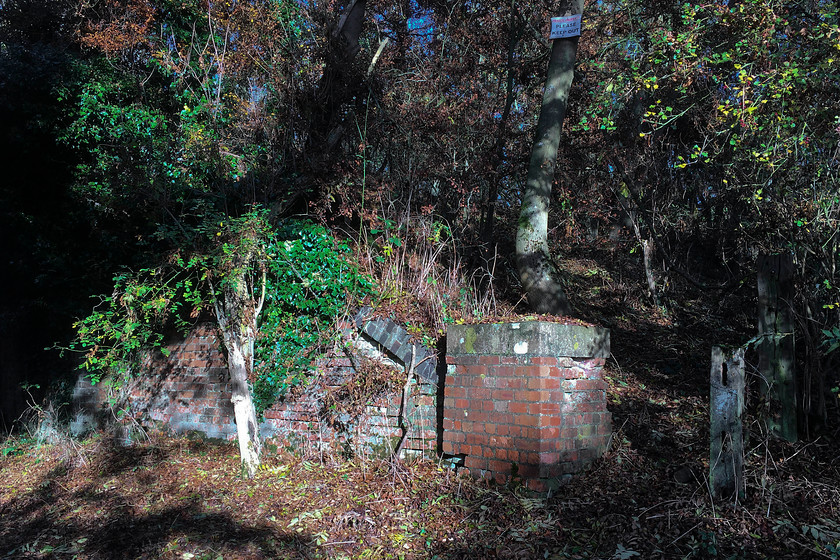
(189, 391)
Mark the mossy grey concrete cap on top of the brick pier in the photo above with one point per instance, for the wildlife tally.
(532, 338)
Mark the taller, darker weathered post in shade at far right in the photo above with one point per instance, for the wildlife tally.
(775, 349)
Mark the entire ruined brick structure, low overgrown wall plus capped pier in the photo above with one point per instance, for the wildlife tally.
(520, 399)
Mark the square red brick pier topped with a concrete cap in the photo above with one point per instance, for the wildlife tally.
(526, 399)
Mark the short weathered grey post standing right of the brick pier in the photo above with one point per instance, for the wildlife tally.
(726, 460)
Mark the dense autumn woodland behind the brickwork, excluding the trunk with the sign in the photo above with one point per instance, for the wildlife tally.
(142, 139)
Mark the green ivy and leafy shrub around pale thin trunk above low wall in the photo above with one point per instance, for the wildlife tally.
(309, 284)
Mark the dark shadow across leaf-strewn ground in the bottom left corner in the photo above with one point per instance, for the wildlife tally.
(99, 519)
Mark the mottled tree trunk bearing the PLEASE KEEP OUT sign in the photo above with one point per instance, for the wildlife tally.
(536, 271)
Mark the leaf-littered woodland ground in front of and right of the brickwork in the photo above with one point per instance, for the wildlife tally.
(181, 498)
